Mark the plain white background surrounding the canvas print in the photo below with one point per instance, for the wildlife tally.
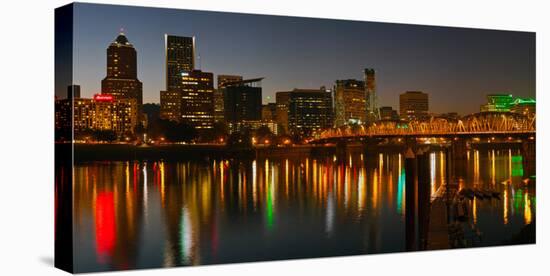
(26, 135)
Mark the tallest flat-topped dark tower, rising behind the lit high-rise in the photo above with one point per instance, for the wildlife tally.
(180, 59)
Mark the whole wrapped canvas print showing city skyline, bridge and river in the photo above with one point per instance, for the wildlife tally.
(329, 137)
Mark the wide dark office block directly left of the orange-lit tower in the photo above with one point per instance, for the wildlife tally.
(309, 110)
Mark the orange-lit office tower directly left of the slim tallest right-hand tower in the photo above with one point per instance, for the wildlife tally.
(350, 103)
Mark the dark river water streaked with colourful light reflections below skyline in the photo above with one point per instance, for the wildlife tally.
(150, 214)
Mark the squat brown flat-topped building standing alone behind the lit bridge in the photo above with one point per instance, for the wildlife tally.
(413, 105)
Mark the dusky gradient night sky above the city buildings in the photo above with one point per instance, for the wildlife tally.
(457, 67)
